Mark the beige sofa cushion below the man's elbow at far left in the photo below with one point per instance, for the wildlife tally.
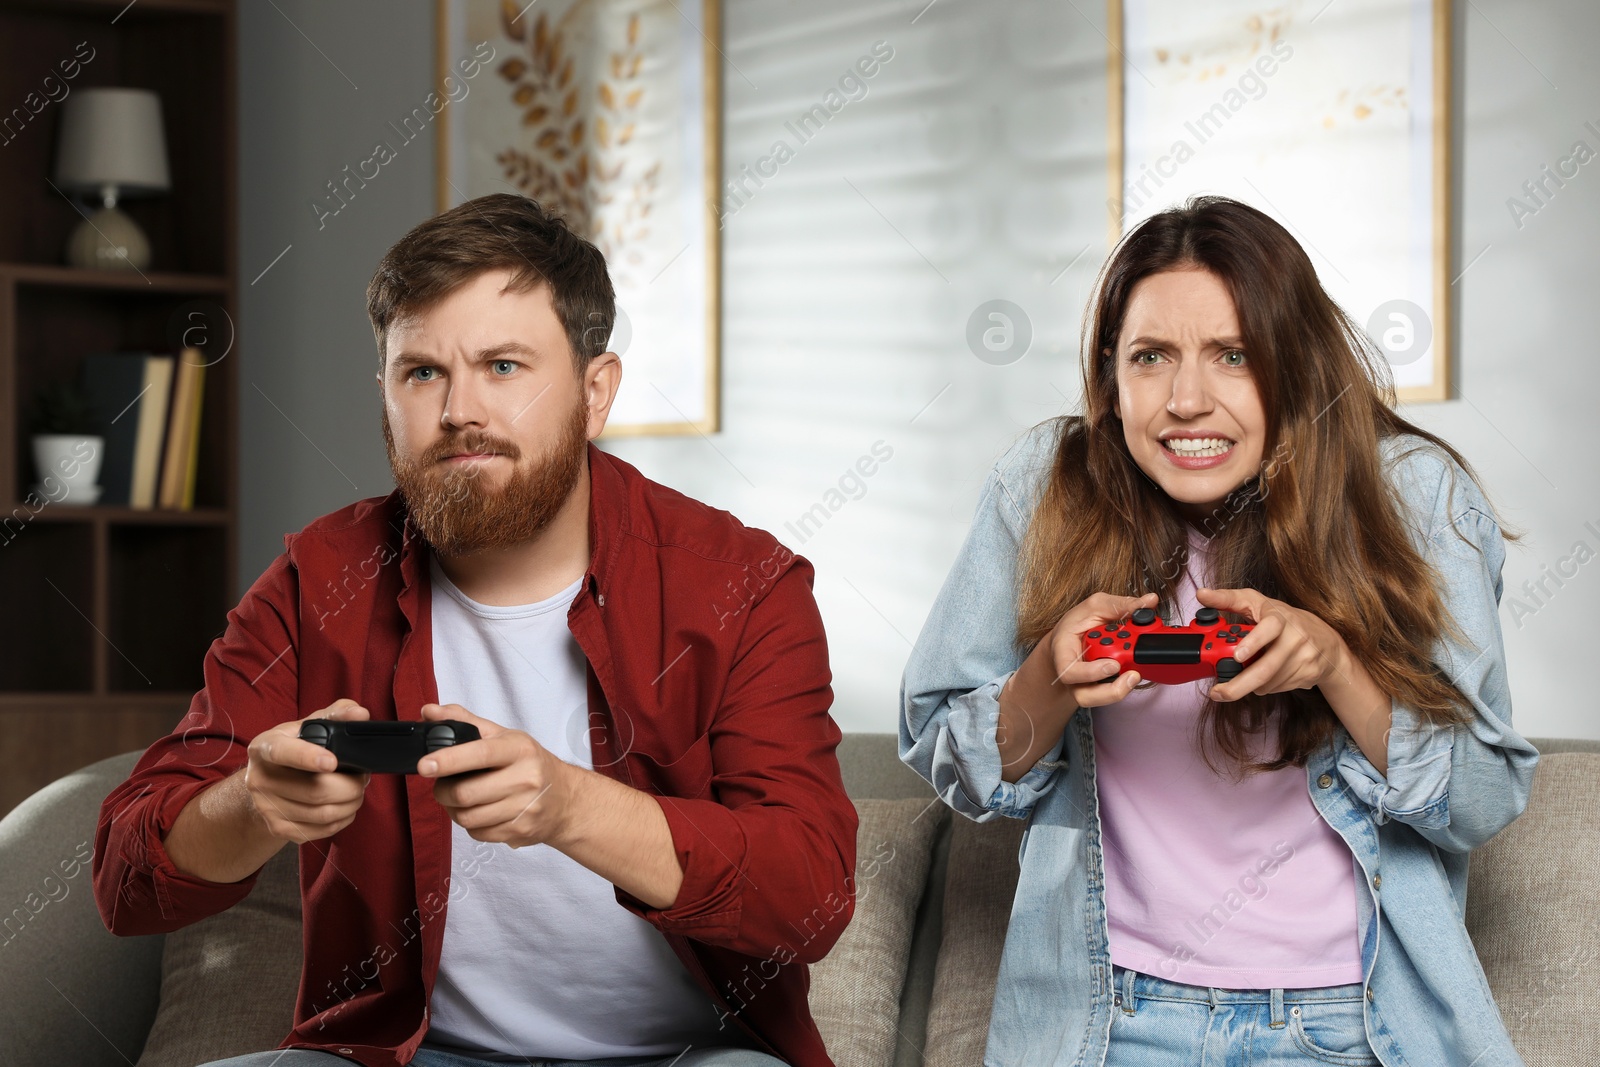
(230, 981)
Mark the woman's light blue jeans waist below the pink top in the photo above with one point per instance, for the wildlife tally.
(1166, 1025)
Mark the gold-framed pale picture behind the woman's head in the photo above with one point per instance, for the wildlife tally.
(1330, 118)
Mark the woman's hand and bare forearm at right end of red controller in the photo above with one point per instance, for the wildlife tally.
(1292, 649)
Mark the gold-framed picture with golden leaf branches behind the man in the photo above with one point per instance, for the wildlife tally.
(610, 114)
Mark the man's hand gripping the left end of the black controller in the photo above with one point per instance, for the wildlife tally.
(294, 785)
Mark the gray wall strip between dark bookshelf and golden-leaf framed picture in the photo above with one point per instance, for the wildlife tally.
(321, 84)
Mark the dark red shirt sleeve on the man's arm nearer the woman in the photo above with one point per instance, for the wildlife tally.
(769, 861)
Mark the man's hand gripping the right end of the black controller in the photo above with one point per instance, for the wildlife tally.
(505, 788)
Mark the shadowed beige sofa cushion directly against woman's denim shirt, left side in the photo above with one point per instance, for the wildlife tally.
(977, 909)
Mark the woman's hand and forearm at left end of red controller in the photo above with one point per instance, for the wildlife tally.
(1055, 681)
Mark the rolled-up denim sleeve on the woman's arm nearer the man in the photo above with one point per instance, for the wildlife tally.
(967, 652)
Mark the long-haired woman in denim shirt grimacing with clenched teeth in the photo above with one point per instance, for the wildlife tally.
(1268, 869)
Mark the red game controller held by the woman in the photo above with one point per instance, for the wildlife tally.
(1170, 655)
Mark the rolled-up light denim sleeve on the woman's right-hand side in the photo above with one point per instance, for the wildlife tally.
(1460, 785)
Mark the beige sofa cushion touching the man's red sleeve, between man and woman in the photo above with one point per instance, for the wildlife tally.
(857, 988)
